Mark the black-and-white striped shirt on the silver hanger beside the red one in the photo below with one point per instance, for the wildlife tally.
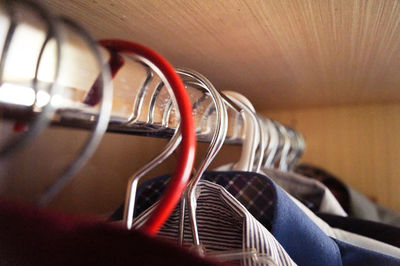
(224, 224)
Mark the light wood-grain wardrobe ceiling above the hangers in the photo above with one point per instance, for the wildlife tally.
(280, 53)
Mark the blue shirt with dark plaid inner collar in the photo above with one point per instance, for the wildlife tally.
(302, 239)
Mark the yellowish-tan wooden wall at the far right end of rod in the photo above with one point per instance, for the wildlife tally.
(359, 144)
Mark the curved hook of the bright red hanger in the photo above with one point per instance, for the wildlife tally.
(183, 169)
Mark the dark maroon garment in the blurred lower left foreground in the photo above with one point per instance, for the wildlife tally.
(29, 236)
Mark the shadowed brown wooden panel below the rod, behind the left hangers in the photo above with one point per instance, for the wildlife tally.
(99, 188)
